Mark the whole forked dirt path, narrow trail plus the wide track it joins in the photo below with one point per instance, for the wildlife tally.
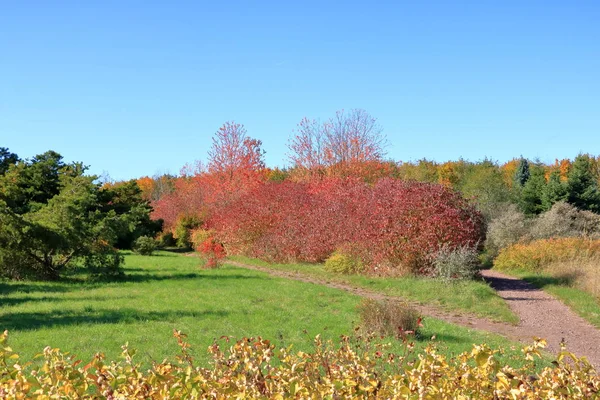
(541, 315)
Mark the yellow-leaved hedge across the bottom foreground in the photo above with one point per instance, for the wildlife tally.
(251, 368)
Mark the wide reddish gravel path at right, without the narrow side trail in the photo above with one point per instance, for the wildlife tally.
(544, 316)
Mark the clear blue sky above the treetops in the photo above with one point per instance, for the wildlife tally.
(139, 87)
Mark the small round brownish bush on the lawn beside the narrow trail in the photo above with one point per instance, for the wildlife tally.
(388, 317)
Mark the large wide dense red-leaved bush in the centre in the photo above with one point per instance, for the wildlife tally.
(396, 226)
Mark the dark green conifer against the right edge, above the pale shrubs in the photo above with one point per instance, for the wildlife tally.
(582, 187)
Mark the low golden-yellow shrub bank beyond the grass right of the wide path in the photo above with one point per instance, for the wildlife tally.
(539, 254)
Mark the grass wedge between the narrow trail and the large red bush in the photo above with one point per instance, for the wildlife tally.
(475, 297)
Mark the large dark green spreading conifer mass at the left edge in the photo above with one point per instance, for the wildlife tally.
(53, 216)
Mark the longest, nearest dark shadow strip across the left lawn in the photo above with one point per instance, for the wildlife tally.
(35, 320)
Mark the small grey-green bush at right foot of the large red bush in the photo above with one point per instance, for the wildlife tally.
(458, 263)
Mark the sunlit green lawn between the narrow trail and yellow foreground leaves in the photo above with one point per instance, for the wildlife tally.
(170, 291)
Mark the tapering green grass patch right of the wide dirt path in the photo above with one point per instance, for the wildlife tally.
(580, 301)
